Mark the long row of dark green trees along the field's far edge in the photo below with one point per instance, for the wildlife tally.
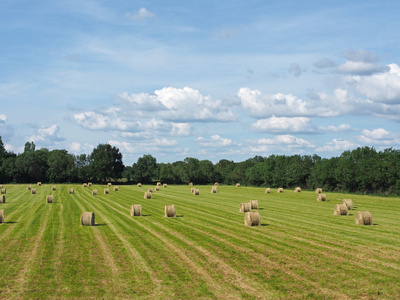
(362, 170)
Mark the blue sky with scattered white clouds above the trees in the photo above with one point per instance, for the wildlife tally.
(205, 79)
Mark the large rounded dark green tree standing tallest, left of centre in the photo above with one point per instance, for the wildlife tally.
(106, 163)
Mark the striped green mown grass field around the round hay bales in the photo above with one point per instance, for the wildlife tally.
(300, 251)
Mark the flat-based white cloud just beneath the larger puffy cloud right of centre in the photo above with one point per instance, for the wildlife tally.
(283, 124)
